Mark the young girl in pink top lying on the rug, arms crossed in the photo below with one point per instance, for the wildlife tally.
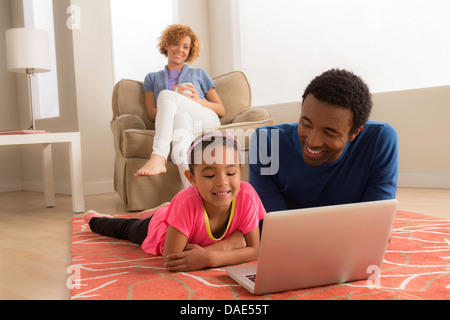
(214, 222)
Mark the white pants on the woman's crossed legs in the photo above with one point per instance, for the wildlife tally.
(177, 119)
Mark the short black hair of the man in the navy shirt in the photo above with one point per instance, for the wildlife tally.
(345, 89)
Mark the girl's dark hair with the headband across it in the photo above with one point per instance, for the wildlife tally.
(212, 139)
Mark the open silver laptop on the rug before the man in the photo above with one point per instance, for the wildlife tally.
(313, 247)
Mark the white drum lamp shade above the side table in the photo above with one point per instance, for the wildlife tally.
(28, 49)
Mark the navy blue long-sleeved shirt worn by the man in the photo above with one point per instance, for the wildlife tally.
(367, 170)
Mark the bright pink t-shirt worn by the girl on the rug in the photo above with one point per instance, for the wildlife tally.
(185, 213)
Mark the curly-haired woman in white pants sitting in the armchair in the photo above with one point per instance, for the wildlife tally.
(178, 99)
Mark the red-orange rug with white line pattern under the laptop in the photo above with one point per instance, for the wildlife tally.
(416, 266)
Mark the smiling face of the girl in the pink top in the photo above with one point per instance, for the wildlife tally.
(217, 179)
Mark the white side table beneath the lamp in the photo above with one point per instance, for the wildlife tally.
(46, 140)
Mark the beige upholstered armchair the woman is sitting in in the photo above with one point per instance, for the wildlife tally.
(134, 132)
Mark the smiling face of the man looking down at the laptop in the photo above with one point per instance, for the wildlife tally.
(324, 131)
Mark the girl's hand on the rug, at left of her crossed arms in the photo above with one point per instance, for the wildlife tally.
(193, 258)
